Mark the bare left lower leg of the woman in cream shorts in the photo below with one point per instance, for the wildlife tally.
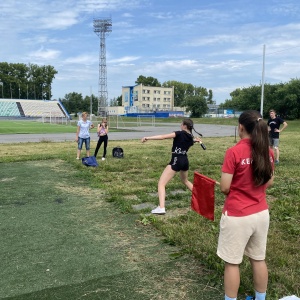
(231, 280)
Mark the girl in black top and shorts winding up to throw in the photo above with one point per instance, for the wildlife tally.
(182, 141)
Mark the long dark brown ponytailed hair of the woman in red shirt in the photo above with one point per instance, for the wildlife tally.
(258, 130)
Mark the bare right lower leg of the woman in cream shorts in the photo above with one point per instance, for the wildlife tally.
(260, 275)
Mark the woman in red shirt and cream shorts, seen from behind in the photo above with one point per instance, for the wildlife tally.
(247, 172)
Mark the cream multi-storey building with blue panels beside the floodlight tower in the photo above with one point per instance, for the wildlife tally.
(147, 99)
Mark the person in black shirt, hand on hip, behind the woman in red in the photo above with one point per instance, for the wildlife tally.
(274, 125)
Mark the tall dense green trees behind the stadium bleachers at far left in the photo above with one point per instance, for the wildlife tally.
(21, 81)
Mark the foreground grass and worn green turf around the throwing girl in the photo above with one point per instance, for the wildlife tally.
(61, 221)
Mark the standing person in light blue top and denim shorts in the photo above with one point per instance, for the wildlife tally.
(83, 134)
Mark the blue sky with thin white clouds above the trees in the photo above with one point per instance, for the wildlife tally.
(214, 44)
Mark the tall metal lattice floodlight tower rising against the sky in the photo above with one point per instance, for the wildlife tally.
(101, 28)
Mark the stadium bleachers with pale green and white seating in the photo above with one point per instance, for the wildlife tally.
(32, 108)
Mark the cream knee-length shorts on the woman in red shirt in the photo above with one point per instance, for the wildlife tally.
(243, 235)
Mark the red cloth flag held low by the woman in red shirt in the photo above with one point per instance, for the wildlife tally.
(203, 196)
